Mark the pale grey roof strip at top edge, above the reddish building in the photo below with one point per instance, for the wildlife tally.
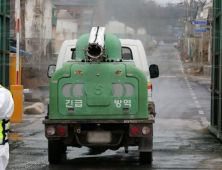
(75, 2)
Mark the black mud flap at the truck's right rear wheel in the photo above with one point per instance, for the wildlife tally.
(146, 144)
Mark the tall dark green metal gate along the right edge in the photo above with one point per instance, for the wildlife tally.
(216, 94)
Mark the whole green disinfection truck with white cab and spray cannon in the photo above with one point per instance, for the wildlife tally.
(98, 99)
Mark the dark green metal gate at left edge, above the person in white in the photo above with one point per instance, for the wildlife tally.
(4, 42)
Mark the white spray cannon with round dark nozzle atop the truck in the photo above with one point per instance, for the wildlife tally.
(95, 48)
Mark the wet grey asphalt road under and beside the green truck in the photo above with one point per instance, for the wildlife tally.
(181, 137)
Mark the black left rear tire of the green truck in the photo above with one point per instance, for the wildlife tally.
(54, 152)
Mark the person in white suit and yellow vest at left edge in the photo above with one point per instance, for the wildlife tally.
(6, 111)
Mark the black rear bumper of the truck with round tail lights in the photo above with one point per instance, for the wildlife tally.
(113, 133)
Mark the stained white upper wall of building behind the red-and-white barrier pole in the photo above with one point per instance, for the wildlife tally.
(38, 27)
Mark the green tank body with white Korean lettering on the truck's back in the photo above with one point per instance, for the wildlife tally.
(109, 90)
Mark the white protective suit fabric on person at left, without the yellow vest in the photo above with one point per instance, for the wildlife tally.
(6, 111)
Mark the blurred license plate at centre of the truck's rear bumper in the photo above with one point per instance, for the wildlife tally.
(99, 137)
